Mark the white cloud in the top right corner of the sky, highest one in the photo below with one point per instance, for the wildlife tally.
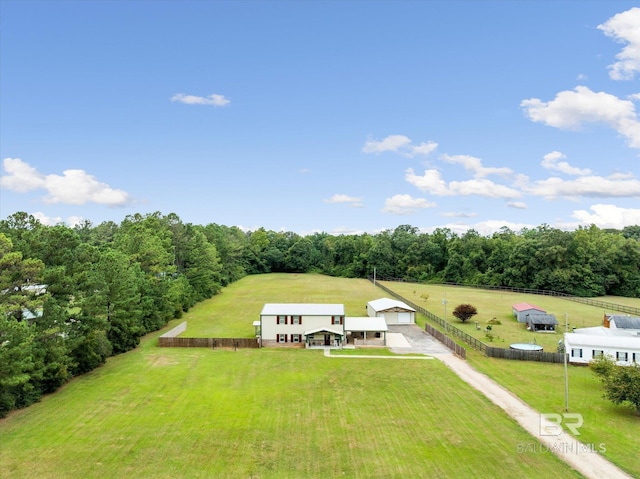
(625, 28)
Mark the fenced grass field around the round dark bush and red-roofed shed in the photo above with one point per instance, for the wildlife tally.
(497, 304)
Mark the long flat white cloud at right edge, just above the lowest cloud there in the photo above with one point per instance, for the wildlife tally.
(615, 186)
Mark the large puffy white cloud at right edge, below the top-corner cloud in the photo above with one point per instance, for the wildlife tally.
(570, 109)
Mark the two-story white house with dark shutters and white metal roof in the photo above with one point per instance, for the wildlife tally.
(301, 324)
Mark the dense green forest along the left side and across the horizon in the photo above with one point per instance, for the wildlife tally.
(71, 297)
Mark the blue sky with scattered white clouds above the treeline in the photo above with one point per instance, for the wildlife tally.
(342, 117)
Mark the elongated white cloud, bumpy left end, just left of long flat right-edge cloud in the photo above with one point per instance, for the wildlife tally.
(431, 182)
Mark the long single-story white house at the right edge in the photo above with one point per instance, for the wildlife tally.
(585, 344)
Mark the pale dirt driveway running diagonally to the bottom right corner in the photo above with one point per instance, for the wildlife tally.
(578, 455)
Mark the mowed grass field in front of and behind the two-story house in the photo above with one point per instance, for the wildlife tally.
(269, 413)
